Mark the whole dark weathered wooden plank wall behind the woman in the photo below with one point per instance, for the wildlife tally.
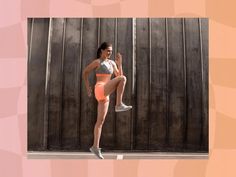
(165, 61)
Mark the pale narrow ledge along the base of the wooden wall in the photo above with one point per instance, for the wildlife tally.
(118, 156)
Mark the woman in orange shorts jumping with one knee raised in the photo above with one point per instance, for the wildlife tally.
(104, 68)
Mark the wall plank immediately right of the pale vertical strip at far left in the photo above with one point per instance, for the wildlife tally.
(55, 84)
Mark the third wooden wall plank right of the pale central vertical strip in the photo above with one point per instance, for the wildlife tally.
(176, 83)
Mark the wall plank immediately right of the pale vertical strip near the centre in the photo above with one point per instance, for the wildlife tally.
(142, 97)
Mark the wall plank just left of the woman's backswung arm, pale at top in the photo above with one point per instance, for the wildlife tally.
(71, 73)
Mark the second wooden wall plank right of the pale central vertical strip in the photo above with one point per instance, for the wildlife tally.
(158, 85)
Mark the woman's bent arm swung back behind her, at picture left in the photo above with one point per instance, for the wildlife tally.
(86, 72)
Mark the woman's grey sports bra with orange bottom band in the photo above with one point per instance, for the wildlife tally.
(105, 68)
